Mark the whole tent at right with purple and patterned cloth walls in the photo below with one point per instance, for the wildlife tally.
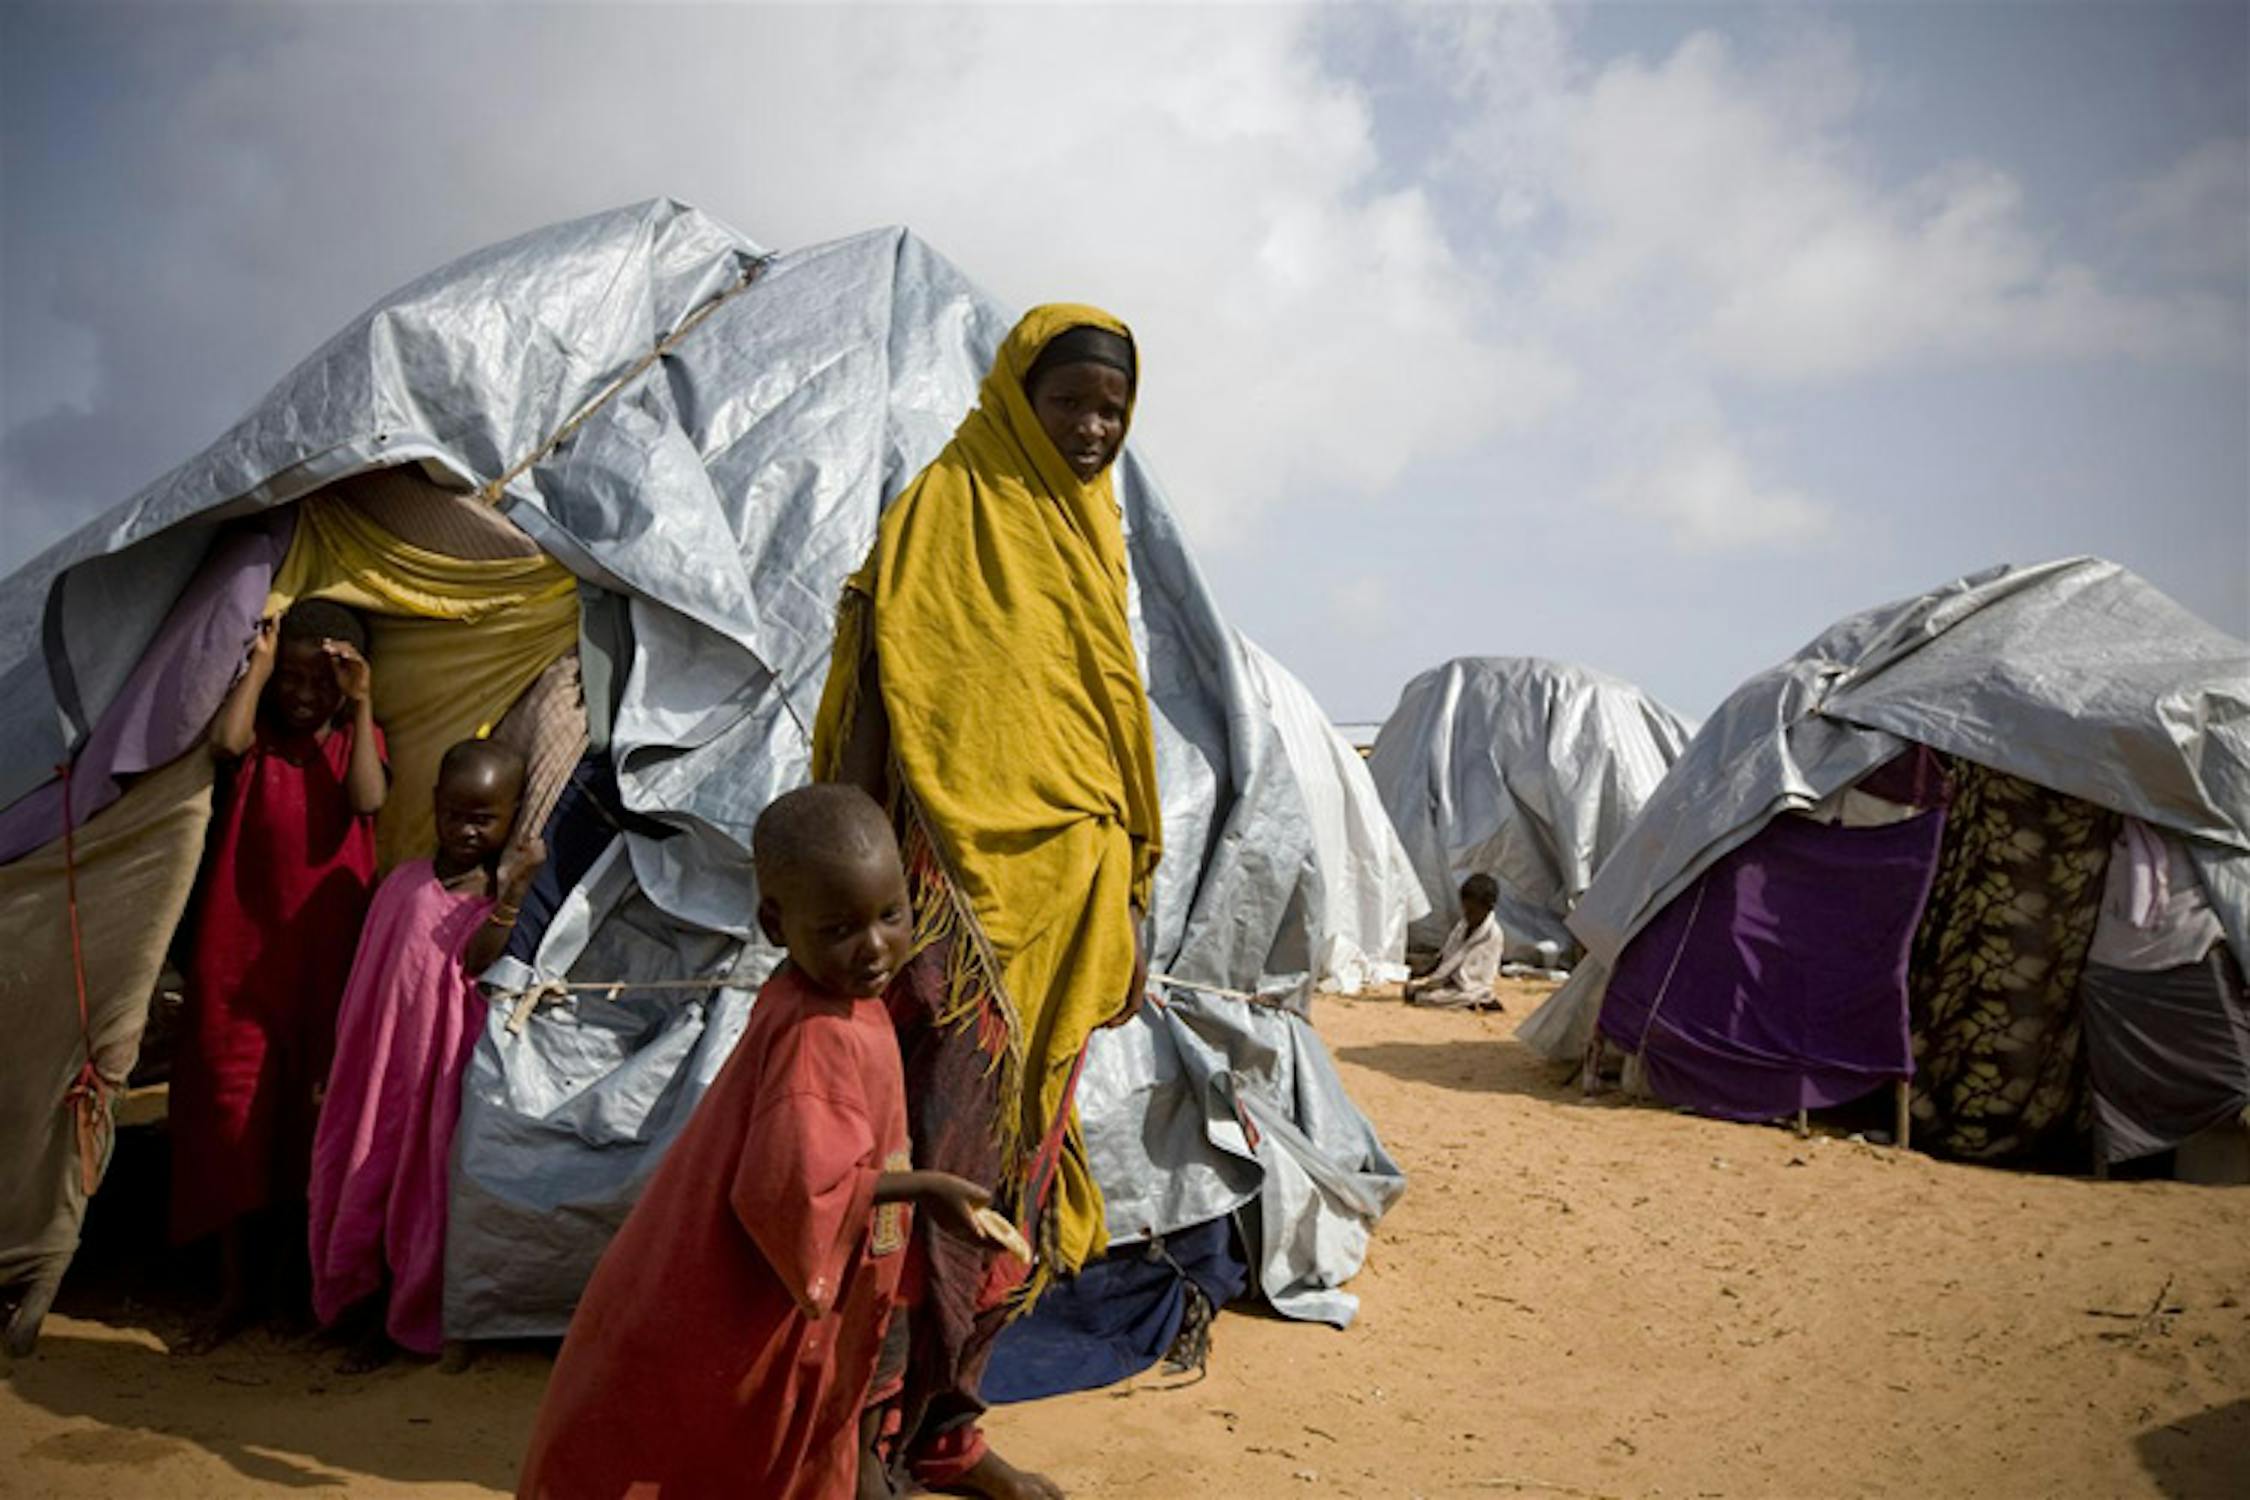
(1893, 858)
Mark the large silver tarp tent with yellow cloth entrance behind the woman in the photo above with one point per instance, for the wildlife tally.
(678, 446)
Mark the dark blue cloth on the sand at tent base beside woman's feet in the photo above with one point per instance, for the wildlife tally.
(1115, 1319)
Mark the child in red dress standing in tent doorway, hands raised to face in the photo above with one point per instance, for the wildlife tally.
(294, 858)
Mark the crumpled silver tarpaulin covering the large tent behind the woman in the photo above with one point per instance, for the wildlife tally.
(703, 435)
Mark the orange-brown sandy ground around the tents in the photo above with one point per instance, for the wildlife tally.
(1572, 1301)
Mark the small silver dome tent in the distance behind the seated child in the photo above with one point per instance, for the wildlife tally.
(1524, 770)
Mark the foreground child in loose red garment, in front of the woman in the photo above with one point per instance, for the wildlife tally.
(730, 1335)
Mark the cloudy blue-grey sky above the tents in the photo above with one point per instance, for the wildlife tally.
(1648, 336)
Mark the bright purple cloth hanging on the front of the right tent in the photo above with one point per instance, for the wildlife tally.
(1779, 979)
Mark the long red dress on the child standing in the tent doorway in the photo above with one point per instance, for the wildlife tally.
(278, 919)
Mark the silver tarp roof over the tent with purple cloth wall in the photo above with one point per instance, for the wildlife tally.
(2076, 676)
